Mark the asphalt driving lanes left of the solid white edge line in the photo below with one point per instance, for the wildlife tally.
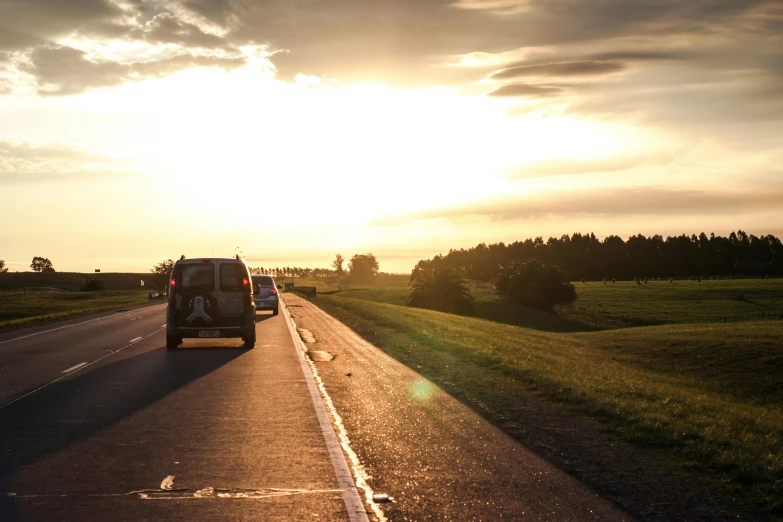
(209, 431)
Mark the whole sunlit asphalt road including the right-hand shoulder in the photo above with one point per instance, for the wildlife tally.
(99, 421)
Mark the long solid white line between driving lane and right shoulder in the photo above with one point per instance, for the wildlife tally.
(353, 502)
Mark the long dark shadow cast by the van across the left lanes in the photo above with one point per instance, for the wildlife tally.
(70, 410)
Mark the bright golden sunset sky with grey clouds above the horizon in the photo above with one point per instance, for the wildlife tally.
(134, 131)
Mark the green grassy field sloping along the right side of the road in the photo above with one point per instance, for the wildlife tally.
(708, 395)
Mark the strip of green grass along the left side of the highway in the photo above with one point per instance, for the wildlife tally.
(17, 311)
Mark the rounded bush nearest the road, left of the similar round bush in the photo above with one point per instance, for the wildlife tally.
(442, 289)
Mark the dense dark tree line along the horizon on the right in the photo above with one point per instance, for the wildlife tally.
(586, 257)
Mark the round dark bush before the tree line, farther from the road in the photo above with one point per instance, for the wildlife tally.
(535, 284)
